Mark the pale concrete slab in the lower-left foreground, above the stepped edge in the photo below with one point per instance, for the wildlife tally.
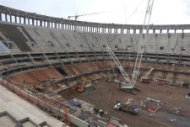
(20, 109)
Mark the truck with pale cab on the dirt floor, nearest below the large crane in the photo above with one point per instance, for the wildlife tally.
(130, 107)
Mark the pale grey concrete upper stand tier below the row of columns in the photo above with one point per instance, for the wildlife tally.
(59, 40)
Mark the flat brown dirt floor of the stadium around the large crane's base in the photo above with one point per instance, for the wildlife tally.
(105, 94)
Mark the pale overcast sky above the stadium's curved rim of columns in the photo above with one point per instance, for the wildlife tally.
(109, 11)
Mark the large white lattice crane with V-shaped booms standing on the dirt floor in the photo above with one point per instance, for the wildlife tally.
(129, 83)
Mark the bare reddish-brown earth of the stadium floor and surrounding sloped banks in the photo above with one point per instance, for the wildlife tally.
(104, 94)
